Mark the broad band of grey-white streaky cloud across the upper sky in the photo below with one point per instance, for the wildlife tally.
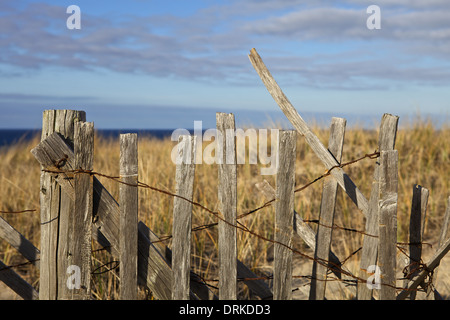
(211, 45)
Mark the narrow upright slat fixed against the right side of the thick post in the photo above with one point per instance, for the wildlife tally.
(79, 237)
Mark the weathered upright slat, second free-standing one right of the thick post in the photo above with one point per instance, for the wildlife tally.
(182, 217)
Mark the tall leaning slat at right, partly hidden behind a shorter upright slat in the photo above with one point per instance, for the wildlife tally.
(369, 252)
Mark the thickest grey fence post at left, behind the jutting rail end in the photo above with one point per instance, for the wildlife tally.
(55, 206)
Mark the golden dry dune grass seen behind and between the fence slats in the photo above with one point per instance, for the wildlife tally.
(424, 153)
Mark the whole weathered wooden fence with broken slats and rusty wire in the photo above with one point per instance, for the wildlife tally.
(76, 209)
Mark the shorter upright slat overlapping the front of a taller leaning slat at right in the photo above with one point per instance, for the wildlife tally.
(388, 223)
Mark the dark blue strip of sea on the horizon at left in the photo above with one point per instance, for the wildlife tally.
(12, 136)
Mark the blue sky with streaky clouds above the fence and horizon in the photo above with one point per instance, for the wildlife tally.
(165, 64)
